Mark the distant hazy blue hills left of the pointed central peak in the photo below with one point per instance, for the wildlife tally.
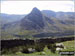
(7, 18)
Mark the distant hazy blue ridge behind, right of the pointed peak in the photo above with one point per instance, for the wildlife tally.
(63, 15)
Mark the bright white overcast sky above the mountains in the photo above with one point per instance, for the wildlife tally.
(24, 7)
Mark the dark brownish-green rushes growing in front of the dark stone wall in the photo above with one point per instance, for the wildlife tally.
(24, 49)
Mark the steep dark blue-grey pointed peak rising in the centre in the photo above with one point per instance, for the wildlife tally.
(33, 21)
